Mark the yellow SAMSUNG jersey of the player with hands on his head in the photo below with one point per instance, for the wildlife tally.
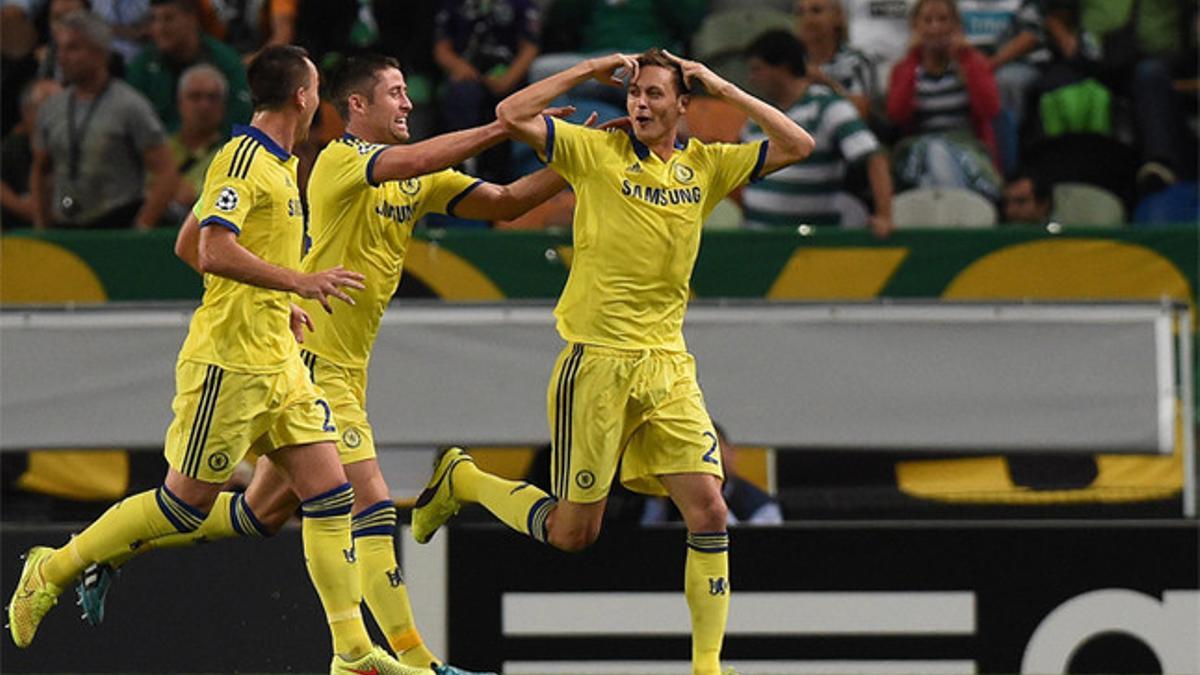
(638, 224)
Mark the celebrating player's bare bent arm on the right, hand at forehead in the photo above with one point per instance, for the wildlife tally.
(789, 142)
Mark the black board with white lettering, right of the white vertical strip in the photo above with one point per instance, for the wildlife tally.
(993, 598)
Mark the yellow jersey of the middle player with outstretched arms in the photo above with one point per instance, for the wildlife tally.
(365, 228)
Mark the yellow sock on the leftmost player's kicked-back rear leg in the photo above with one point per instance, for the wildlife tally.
(124, 528)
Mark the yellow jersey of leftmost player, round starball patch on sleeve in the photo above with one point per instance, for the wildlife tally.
(251, 189)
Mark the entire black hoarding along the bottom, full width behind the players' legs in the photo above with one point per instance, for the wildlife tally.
(868, 599)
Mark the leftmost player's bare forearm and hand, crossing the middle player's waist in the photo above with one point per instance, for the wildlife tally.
(220, 254)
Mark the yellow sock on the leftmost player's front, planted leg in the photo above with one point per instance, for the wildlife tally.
(329, 554)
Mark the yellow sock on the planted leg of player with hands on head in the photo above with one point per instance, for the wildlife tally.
(707, 587)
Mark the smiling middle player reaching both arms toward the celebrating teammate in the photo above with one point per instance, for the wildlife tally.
(365, 194)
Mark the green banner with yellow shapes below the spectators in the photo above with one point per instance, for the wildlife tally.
(999, 265)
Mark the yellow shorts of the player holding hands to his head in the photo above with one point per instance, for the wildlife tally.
(641, 410)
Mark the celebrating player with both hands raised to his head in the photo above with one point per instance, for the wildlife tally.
(625, 390)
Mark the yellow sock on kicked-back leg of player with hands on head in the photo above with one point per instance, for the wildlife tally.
(521, 506)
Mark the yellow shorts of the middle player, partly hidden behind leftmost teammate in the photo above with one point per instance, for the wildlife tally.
(346, 390)
